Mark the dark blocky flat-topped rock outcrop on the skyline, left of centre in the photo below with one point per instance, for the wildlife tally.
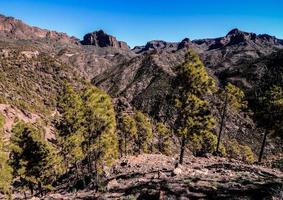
(101, 39)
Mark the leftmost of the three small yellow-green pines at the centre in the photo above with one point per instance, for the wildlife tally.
(128, 134)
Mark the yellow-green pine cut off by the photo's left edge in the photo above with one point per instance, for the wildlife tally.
(5, 169)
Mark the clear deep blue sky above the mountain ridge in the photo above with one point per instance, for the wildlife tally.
(139, 21)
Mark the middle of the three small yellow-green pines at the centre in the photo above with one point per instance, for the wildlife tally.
(145, 135)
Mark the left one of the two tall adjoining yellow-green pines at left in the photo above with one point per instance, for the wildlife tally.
(70, 125)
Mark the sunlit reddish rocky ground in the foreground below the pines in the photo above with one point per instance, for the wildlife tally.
(151, 176)
